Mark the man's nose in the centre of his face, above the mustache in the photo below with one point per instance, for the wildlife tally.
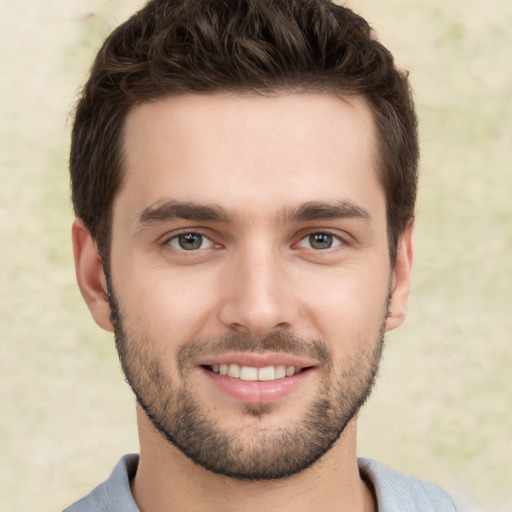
(257, 295)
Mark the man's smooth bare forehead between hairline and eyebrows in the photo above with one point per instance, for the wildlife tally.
(248, 151)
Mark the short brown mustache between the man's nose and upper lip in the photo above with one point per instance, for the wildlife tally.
(283, 342)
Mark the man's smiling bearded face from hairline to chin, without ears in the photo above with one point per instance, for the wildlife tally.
(249, 238)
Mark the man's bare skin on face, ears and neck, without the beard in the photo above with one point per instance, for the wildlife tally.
(259, 158)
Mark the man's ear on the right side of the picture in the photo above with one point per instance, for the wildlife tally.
(401, 279)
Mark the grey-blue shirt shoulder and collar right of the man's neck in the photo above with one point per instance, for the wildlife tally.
(397, 491)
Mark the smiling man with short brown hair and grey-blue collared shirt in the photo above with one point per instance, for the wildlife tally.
(244, 179)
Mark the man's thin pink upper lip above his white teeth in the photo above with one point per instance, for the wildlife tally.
(258, 360)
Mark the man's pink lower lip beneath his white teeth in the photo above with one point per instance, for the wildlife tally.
(257, 392)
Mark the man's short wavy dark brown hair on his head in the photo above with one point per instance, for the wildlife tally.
(203, 46)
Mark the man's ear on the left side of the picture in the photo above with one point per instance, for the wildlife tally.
(89, 274)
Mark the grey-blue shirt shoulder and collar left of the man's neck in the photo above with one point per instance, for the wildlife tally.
(113, 494)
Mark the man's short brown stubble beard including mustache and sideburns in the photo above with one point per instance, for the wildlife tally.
(267, 453)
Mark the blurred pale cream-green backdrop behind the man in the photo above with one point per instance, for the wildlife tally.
(442, 409)
